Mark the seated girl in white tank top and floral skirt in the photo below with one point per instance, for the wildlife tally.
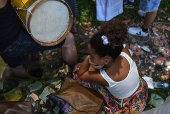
(110, 70)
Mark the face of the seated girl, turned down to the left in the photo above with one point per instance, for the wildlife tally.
(94, 57)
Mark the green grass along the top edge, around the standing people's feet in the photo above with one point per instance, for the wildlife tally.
(87, 12)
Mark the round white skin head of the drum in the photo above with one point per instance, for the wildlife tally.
(49, 21)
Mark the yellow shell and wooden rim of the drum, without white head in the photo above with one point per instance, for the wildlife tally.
(26, 20)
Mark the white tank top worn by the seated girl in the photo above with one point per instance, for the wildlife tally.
(125, 88)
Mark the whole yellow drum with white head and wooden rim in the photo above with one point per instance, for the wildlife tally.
(47, 21)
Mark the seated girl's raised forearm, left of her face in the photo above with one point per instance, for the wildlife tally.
(84, 67)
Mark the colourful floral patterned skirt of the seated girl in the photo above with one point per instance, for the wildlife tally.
(131, 105)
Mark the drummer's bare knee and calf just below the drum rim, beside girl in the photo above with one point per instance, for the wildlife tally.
(69, 51)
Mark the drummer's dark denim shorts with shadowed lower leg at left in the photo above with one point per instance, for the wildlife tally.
(24, 45)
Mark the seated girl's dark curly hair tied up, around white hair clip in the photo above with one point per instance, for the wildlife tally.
(116, 32)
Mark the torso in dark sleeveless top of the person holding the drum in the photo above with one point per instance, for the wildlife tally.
(10, 25)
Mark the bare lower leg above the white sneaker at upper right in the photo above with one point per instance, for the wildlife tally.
(149, 18)
